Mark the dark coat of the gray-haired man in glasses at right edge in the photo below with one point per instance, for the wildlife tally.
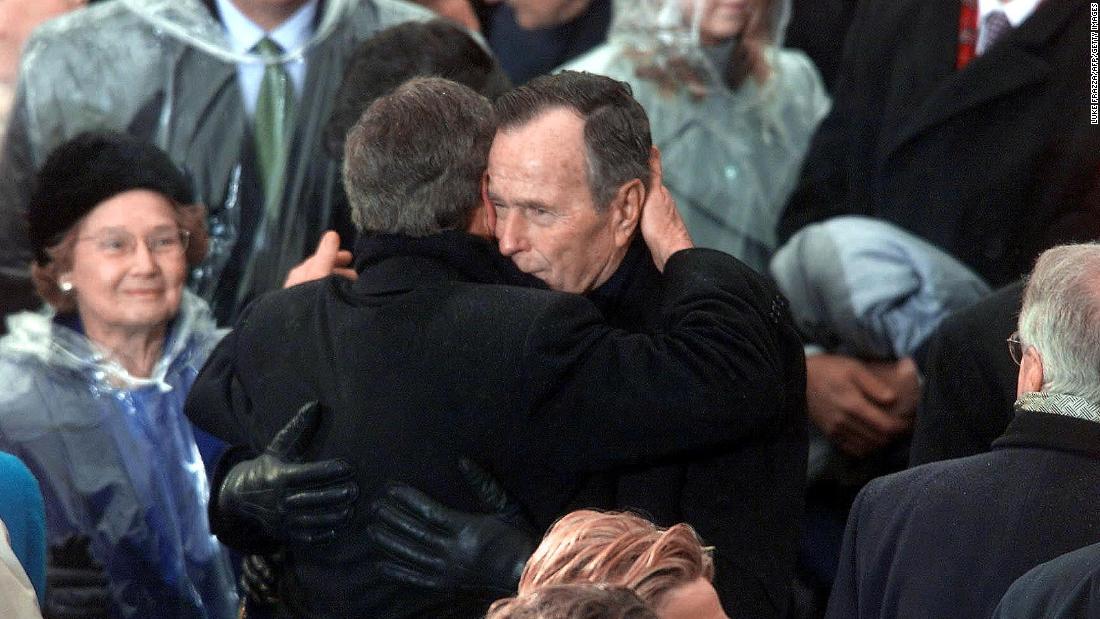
(948, 539)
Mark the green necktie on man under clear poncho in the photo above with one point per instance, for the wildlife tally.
(274, 120)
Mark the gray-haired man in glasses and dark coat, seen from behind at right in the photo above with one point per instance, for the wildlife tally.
(948, 539)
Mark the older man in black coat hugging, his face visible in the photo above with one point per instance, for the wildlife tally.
(567, 180)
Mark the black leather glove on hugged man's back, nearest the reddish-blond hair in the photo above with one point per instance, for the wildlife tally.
(425, 545)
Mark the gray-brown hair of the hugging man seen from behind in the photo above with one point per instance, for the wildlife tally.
(415, 160)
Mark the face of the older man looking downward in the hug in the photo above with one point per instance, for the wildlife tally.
(546, 217)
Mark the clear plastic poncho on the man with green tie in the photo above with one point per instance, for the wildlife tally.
(164, 70)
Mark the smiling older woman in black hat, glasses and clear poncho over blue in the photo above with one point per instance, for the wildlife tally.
(95, 384)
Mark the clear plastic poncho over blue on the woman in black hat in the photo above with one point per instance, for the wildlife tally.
(117, 461)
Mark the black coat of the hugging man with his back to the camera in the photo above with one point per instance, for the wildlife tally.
(421, 363)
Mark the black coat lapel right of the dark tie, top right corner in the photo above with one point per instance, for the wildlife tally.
(1015, 63)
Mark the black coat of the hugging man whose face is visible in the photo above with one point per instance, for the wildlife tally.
(746, 500)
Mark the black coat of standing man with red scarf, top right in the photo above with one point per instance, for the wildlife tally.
(993, 163)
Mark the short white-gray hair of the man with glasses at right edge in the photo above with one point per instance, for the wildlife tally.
(1061, 317)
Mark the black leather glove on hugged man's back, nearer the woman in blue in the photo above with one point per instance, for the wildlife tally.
(289, 500)
